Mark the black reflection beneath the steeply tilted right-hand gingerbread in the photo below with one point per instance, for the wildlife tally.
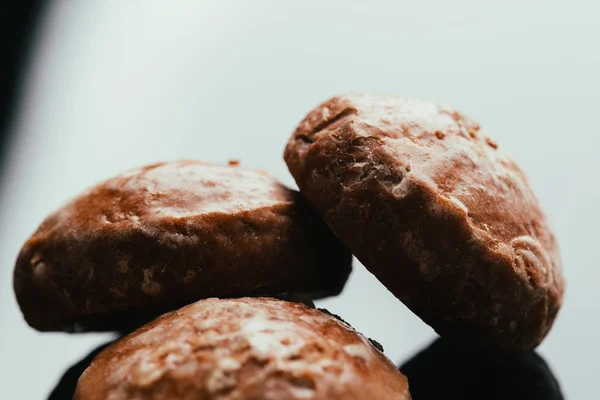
(444, 372)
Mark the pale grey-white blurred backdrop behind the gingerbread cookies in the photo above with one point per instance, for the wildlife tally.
(114, 85)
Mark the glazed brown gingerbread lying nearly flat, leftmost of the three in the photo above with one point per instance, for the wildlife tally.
(162, 236)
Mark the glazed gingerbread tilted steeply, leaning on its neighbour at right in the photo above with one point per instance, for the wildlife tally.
(437, 212)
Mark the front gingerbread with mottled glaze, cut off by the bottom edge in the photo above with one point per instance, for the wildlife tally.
(243, 349)
